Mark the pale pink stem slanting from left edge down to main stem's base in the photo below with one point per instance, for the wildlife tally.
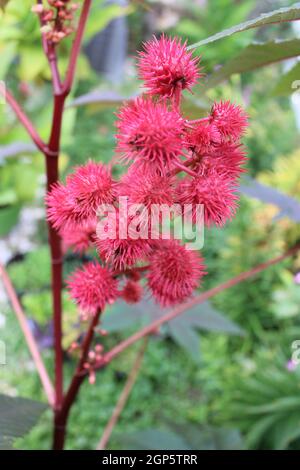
(29, 338)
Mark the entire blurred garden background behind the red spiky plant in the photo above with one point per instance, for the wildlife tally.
(229, 381)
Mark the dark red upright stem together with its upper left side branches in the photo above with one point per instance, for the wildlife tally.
(51, 152)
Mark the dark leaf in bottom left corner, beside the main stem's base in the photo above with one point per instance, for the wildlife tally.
(17, 416)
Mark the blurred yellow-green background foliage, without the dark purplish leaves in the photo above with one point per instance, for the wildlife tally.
(238, 382)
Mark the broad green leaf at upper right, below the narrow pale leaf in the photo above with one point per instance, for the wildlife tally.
(255, 56)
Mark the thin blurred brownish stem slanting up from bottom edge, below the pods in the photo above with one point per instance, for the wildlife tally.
(124, 396)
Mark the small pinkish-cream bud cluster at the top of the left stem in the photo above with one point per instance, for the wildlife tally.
(57, 19)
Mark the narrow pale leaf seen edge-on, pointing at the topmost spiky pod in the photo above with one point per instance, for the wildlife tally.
(277, 16)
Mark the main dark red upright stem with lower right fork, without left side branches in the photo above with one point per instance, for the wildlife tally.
(63, 405)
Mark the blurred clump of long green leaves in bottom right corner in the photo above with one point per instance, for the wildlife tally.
(265, 401)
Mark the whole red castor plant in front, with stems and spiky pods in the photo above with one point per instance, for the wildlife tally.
(155, 136)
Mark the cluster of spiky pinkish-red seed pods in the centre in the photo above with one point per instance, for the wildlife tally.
(160, 143)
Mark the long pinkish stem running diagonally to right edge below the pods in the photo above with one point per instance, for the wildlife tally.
(189, 304)
